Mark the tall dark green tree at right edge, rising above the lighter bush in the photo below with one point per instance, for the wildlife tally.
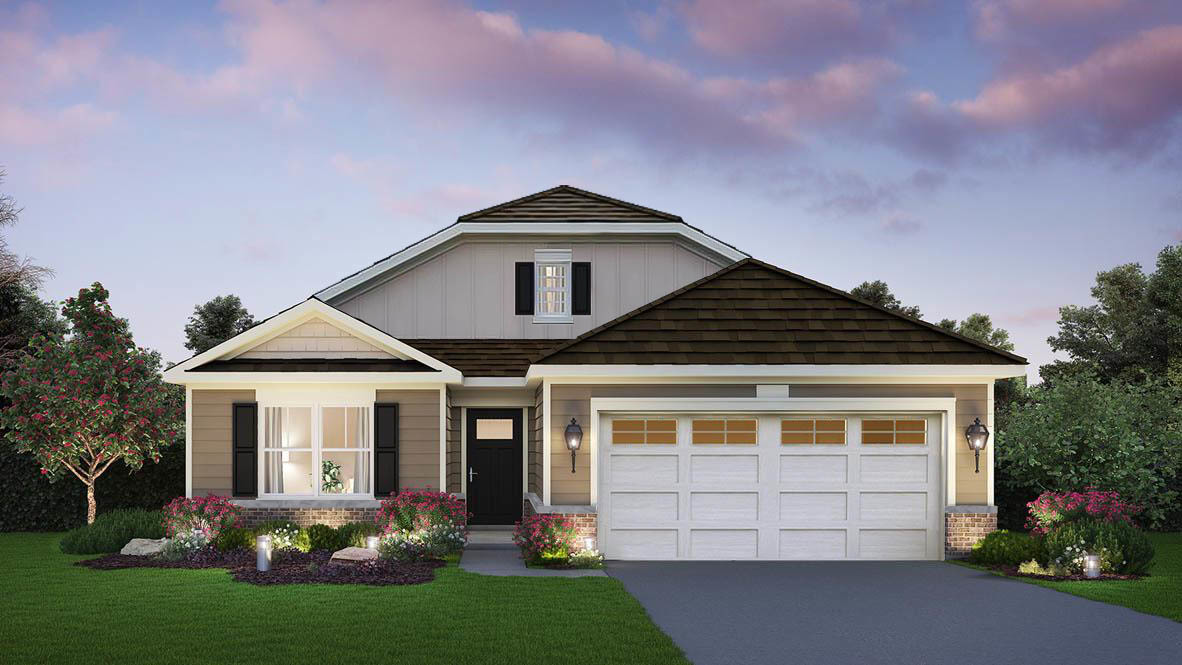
(1133, 332)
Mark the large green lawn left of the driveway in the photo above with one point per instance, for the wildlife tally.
(56, 612)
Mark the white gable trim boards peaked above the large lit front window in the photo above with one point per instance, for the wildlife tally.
(309, 310)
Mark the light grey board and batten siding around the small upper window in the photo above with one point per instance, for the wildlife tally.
(469, 291)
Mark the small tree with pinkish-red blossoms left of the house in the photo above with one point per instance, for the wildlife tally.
(85, 400)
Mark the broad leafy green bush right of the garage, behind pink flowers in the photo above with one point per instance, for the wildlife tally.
(1081, 433)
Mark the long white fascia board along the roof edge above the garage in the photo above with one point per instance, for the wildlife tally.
(906, 374)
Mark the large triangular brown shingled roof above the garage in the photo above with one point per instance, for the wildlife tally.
(754, 314)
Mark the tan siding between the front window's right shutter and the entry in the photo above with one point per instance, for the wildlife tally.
(419, 436)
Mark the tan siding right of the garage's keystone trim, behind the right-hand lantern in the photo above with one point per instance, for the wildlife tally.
(972, 402)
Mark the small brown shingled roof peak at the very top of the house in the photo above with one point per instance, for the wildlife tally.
(567, 204)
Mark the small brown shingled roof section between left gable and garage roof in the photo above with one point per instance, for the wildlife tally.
(485, 357)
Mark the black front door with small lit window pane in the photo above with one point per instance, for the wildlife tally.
(495, 466)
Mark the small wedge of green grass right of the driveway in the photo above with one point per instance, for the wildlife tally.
(1160, 594)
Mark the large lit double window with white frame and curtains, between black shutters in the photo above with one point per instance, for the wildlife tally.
(316, 452)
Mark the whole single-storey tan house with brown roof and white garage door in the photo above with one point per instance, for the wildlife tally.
(723, 408)
